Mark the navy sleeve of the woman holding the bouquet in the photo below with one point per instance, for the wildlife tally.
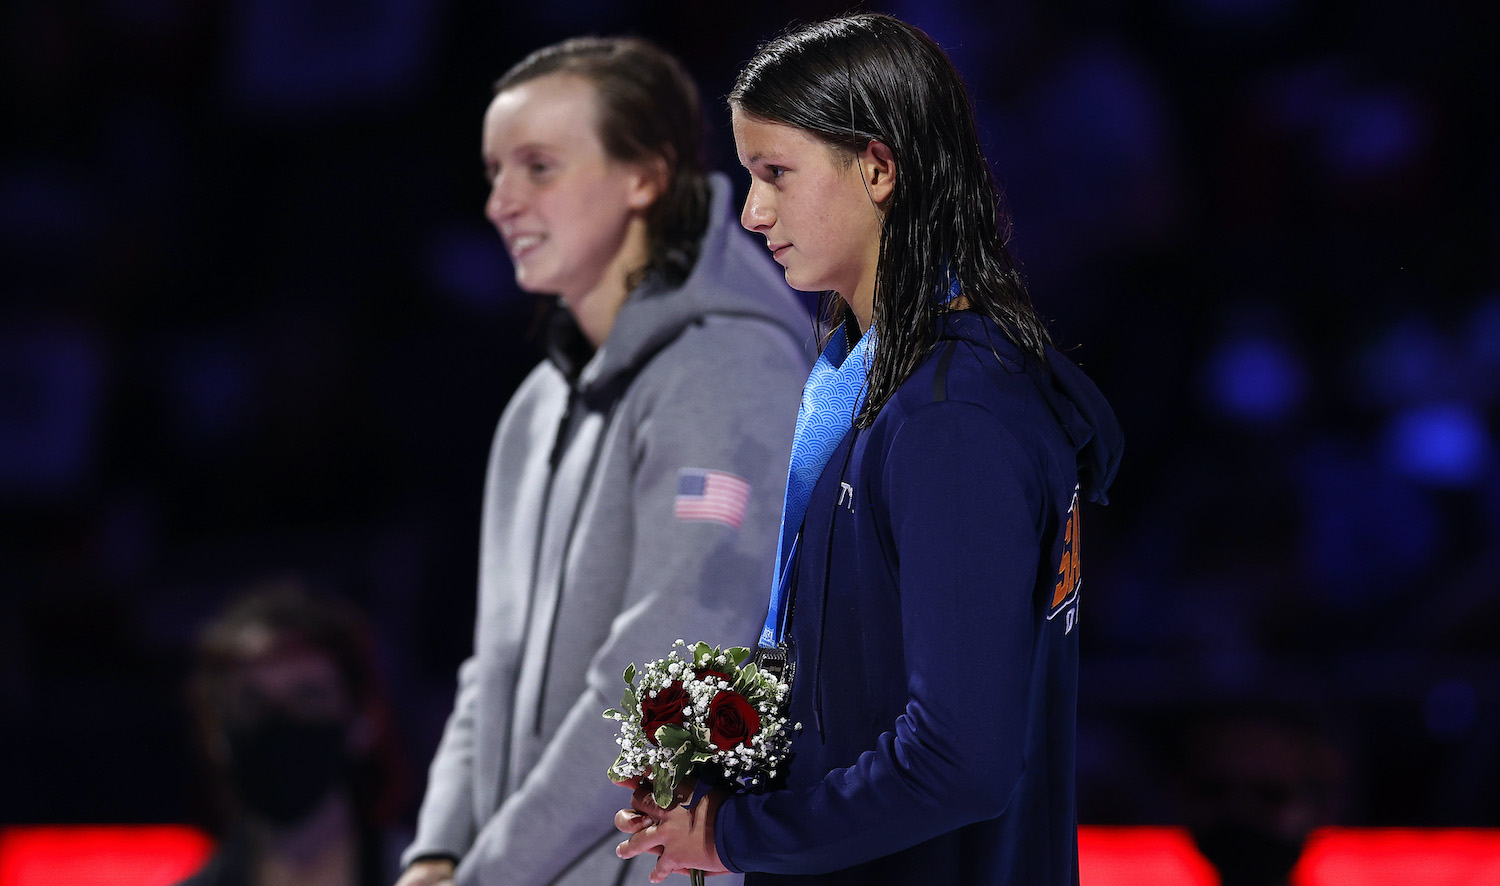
(965, 515)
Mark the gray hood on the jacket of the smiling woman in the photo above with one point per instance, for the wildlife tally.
(733, 278)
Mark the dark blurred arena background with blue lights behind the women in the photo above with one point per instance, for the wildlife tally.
(256, 328)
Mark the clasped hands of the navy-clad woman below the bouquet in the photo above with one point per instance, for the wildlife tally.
(682, 837)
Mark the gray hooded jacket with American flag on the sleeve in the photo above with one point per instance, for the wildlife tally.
(593, 557)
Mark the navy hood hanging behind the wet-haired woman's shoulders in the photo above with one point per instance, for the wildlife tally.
(1081, 409)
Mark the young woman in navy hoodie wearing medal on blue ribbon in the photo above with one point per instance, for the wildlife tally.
(929, 575)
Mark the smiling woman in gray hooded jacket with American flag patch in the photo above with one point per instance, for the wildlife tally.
(635, 480)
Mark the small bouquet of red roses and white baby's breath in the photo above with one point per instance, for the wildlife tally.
(701, 713)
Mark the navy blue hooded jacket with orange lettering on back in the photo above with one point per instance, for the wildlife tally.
(935, 633)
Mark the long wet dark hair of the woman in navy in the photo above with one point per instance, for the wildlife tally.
(871, 77)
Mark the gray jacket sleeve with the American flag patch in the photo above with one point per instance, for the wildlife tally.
(691, 579)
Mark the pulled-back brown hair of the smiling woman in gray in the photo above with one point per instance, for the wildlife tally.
(649, 109)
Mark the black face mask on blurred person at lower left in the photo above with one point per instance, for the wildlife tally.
(283, 767)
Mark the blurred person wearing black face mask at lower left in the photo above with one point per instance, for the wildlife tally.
(295, 728)
